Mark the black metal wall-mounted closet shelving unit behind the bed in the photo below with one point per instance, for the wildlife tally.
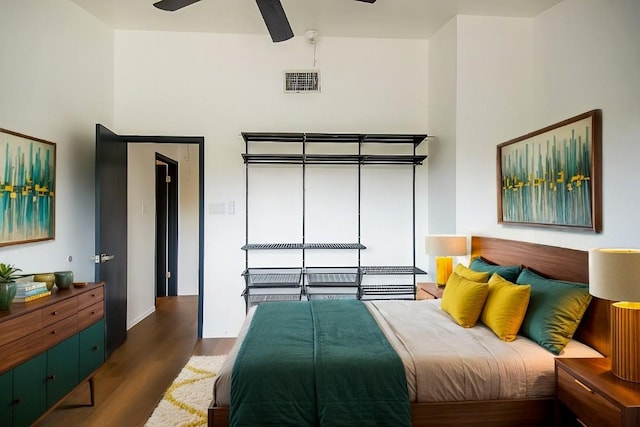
(264, 277)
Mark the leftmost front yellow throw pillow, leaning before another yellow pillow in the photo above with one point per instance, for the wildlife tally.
(463, 299)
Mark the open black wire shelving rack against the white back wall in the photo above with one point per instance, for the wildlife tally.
(326, 278)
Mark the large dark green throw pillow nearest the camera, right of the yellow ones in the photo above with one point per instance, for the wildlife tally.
(555, 310)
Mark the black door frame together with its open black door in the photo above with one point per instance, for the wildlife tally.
(111, 224)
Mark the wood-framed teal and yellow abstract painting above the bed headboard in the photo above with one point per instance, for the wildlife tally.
(551, 177)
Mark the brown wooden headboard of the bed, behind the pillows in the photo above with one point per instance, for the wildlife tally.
(555, 263)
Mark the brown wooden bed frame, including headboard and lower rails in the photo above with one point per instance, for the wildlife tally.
(549, 261)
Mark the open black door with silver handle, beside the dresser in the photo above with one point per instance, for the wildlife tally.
(111, 232)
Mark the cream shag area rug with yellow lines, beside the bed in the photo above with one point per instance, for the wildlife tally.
(186, 401)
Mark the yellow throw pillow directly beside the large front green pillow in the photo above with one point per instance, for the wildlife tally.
(505, 307)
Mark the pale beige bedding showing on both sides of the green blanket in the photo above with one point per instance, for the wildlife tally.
(445, 362)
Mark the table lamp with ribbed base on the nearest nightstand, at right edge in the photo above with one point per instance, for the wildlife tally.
(614, 274)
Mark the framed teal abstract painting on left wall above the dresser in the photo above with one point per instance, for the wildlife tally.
(27, 188)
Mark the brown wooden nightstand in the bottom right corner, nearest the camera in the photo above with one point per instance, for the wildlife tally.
(588, 394)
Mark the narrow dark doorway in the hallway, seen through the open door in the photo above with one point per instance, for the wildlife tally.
(166, 226)
